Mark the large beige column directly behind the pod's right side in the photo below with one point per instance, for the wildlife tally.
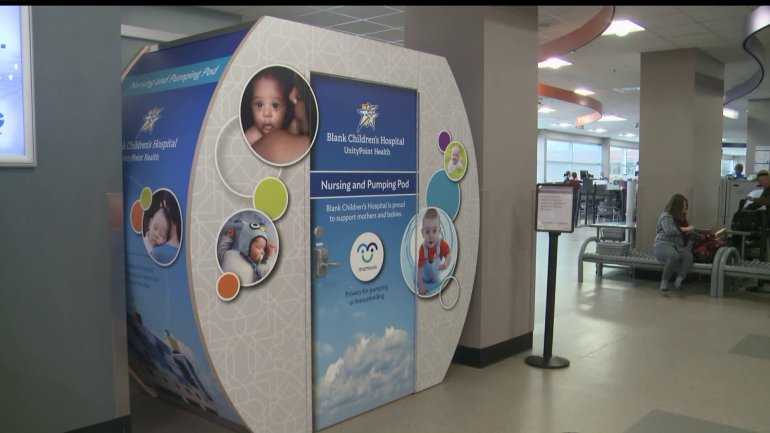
(493, 54)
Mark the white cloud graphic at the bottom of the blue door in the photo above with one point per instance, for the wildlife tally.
(372, 372)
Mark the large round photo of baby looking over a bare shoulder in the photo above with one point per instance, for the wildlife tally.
(279, 115)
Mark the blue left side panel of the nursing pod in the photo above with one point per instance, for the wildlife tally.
(160, 135)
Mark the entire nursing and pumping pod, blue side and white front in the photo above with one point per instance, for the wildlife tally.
(250, 344)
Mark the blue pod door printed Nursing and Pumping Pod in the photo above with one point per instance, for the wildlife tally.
(363, 192)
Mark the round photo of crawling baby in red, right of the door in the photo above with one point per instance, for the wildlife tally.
(429, 250)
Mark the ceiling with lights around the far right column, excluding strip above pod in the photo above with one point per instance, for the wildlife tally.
(612, 62)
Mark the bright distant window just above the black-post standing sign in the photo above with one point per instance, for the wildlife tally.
(562, 155)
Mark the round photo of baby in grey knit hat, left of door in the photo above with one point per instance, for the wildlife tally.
(247, 246)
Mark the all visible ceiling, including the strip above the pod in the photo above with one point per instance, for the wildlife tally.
(610, 65)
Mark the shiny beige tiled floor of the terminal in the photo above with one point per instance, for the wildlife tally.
(639, 360)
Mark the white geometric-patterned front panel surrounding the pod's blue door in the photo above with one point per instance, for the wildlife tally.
(260, 344)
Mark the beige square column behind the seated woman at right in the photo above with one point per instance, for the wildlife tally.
(680, 136)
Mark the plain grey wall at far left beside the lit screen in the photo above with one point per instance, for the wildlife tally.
(59, 369)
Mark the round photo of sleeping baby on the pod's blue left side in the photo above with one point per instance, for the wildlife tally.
(162, 228)
